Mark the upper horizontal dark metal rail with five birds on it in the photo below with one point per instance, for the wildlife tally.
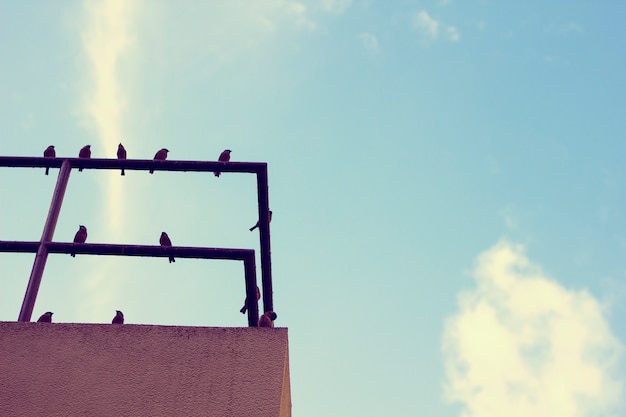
(134, 164)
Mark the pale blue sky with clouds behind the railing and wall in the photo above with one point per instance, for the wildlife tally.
(447, 178)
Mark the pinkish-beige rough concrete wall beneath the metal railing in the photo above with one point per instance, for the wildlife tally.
(136, 370)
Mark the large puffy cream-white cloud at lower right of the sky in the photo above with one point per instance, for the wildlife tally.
(523, 345)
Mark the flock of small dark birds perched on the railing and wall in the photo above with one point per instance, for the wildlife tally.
(266, 320)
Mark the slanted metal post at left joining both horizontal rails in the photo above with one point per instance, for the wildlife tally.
(46, 237)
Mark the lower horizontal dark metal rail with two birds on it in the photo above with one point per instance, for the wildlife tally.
(130, 250)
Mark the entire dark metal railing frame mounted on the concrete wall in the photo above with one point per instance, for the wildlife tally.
(45, 245)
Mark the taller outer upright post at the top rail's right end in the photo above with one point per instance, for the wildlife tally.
(264, 236)
